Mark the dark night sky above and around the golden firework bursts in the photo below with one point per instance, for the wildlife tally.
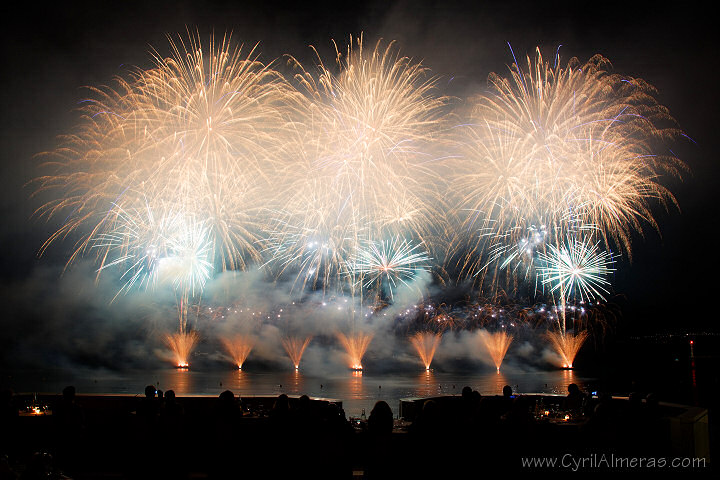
(50, 53)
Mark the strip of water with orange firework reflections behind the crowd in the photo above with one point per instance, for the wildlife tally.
(357, 390)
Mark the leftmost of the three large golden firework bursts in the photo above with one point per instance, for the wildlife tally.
(201, 131)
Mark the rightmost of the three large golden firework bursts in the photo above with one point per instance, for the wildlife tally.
(556, 143)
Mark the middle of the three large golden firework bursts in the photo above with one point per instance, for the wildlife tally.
(365, 165)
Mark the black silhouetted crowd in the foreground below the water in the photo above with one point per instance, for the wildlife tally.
(158, 435)
